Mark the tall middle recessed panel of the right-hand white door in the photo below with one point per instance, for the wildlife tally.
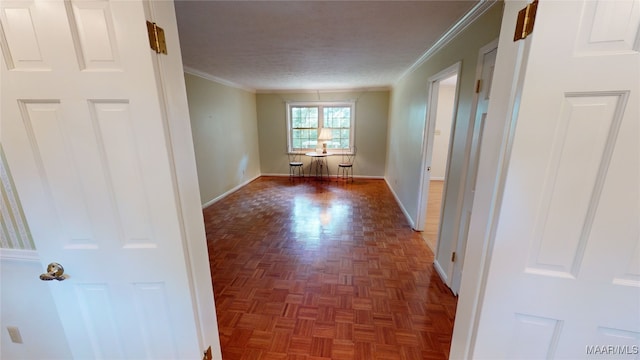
(571, 181)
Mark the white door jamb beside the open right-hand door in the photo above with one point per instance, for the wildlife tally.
(496, 147)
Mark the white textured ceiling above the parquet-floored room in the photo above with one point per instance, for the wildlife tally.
(311, 45)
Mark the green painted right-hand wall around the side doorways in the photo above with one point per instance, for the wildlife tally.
(408, 114)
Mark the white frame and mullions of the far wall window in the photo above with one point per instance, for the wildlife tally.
(320, 105)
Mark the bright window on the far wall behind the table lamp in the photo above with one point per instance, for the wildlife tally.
(304, 121)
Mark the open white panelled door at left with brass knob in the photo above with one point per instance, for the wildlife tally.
(83, 133)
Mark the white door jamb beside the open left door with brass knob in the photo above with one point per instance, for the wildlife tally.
(175, 111)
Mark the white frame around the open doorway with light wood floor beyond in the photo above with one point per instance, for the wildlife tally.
(427, 141)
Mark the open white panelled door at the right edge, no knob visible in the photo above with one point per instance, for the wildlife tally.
(564, 274)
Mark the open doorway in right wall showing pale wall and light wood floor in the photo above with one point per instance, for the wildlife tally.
(444, 101)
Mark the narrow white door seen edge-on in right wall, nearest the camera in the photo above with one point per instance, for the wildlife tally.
(486, 65)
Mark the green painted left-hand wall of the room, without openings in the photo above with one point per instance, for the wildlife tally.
(225, 136)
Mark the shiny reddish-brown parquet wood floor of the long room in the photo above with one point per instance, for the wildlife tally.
(308, 270)
